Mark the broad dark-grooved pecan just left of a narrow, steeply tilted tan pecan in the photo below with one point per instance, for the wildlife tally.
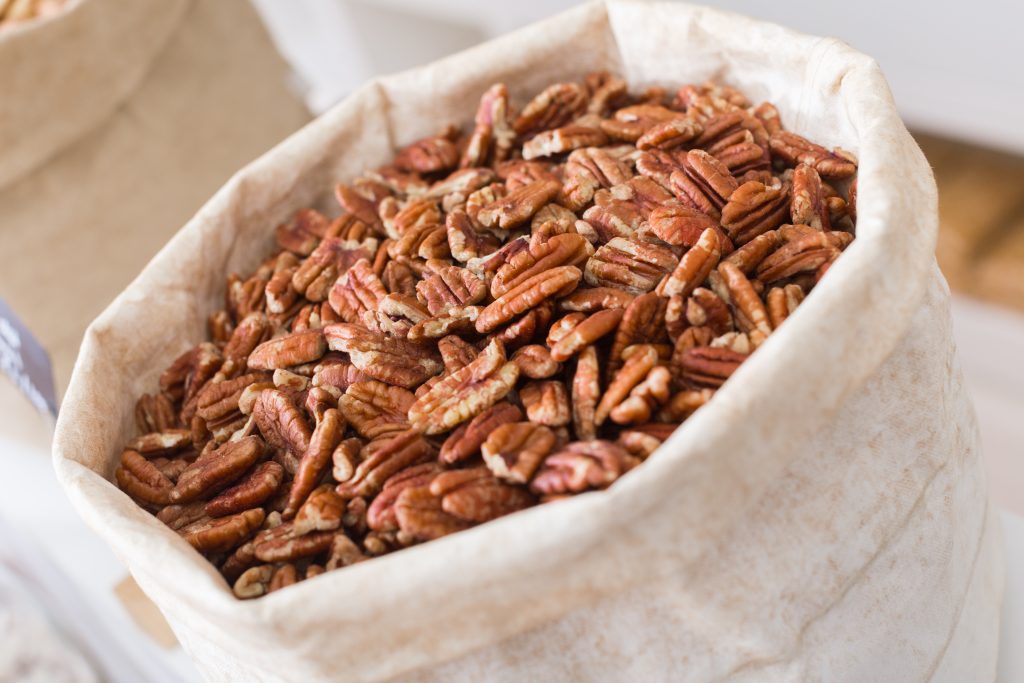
(633, 267)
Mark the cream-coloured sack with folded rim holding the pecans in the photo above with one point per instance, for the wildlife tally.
(824, 519)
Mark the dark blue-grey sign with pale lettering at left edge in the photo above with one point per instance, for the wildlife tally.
(25, 361)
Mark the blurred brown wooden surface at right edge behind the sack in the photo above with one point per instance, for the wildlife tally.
(982, 217)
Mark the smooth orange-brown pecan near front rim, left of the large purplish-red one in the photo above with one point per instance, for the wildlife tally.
(476, 496)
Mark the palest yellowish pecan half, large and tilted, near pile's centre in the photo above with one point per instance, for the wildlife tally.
(466, 393)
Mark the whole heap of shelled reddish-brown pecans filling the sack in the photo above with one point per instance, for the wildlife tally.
(493, 321)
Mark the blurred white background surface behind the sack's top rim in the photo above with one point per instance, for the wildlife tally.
(954, 67)
